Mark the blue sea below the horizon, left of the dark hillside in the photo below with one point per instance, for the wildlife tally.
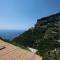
(10, 34)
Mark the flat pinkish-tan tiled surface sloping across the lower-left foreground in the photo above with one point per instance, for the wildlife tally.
(12, 52)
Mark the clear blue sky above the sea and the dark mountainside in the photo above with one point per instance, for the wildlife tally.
(23, 14)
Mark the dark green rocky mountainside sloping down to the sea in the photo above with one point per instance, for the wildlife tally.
(44, 35)
